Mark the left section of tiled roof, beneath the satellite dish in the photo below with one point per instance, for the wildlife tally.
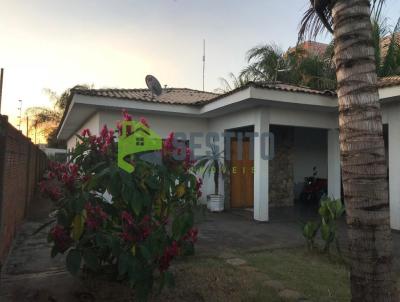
(182, 96)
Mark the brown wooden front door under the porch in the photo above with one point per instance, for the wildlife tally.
(242, 172)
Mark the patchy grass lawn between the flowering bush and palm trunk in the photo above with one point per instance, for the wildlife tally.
(265, 274)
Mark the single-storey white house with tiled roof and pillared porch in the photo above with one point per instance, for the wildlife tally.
(303, 121)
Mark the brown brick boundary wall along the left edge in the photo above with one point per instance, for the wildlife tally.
(21, 167)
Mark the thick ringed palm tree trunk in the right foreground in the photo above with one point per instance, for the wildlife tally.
(363, 154)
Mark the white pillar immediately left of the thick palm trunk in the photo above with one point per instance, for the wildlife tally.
(334, 179)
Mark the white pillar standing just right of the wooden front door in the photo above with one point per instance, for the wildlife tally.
(261, 150)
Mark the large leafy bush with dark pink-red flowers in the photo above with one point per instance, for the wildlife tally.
(127, 227)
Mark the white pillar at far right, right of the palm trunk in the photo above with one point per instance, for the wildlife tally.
(394, 168)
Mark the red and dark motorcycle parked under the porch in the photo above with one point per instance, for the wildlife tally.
(314, 188)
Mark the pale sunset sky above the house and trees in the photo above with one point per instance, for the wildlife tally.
(58, 44)
